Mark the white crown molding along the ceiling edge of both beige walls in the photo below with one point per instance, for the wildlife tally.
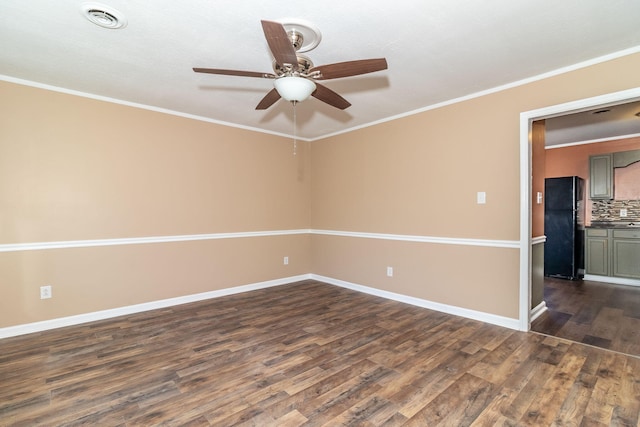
(563, 70)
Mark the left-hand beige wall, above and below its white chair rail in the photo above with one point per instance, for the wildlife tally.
(73, 168)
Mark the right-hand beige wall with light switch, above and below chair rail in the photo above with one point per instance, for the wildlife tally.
(419, 175)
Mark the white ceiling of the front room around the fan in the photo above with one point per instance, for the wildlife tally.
(437, 50)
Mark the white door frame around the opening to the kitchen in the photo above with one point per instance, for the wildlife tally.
(526, 120)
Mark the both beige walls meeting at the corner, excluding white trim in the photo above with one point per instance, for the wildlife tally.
(74, 168)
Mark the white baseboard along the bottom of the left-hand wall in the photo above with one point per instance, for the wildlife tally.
(45, 325)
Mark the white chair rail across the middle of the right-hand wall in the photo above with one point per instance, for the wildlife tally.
(421, 239)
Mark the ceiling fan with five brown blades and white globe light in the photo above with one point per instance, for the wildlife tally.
(294, 75)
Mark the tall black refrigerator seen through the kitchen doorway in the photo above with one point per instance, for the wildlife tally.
(564, 227)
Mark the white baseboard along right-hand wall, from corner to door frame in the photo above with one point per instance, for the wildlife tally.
(444, 308)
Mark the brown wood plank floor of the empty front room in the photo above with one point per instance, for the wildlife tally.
(309, 354)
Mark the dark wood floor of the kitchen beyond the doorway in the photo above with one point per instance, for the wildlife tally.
(595, 313)
